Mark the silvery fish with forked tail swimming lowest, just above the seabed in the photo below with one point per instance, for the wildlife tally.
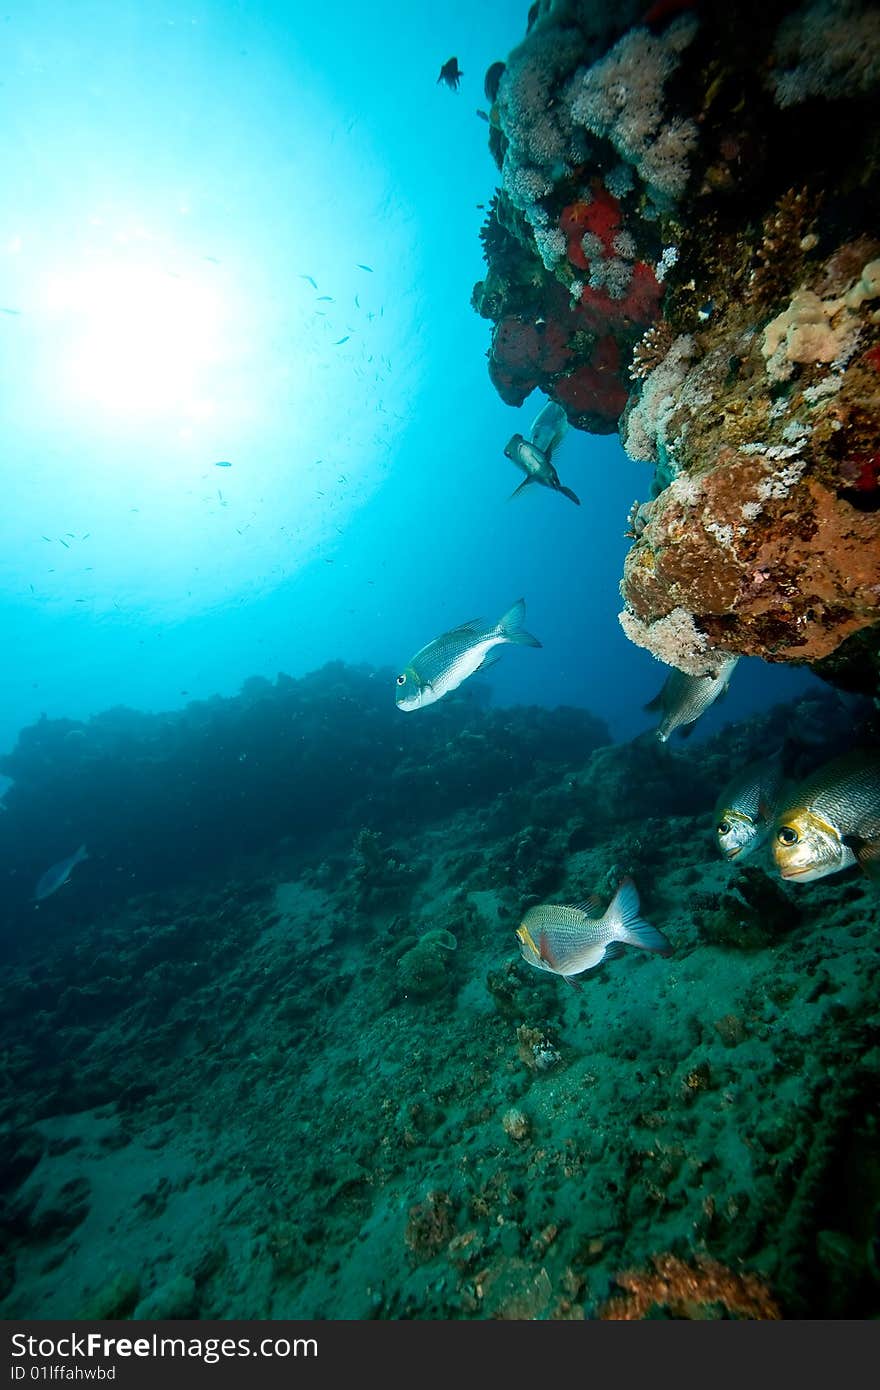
(569, 940)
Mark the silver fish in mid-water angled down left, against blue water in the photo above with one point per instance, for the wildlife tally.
(450, 660)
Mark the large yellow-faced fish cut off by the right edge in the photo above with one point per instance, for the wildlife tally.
(832, 821)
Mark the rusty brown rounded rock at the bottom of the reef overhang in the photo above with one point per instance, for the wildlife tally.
(783, 578)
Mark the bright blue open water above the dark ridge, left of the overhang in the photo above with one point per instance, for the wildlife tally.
(173, 176)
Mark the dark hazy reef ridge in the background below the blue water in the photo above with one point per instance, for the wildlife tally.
(290, 764)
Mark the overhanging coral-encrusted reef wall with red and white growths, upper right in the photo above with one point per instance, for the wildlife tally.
(685, 247)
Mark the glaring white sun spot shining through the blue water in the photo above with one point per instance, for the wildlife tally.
(137, 340)
